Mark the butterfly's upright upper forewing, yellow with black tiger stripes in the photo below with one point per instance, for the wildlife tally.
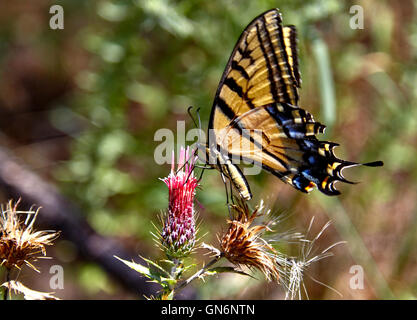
(262, 69)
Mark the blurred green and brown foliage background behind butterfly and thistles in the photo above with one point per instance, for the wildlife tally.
(80, 106)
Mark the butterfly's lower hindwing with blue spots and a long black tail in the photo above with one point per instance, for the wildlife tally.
(282, 139)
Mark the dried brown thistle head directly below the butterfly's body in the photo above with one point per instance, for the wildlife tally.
(243, 245)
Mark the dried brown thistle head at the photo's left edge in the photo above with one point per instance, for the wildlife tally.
(19, 242)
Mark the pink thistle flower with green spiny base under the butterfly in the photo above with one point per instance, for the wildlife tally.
(179, 230)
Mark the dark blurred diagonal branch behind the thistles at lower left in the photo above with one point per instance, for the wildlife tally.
(60, 214)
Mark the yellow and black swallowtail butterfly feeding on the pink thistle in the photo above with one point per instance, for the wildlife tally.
(256, 118)
